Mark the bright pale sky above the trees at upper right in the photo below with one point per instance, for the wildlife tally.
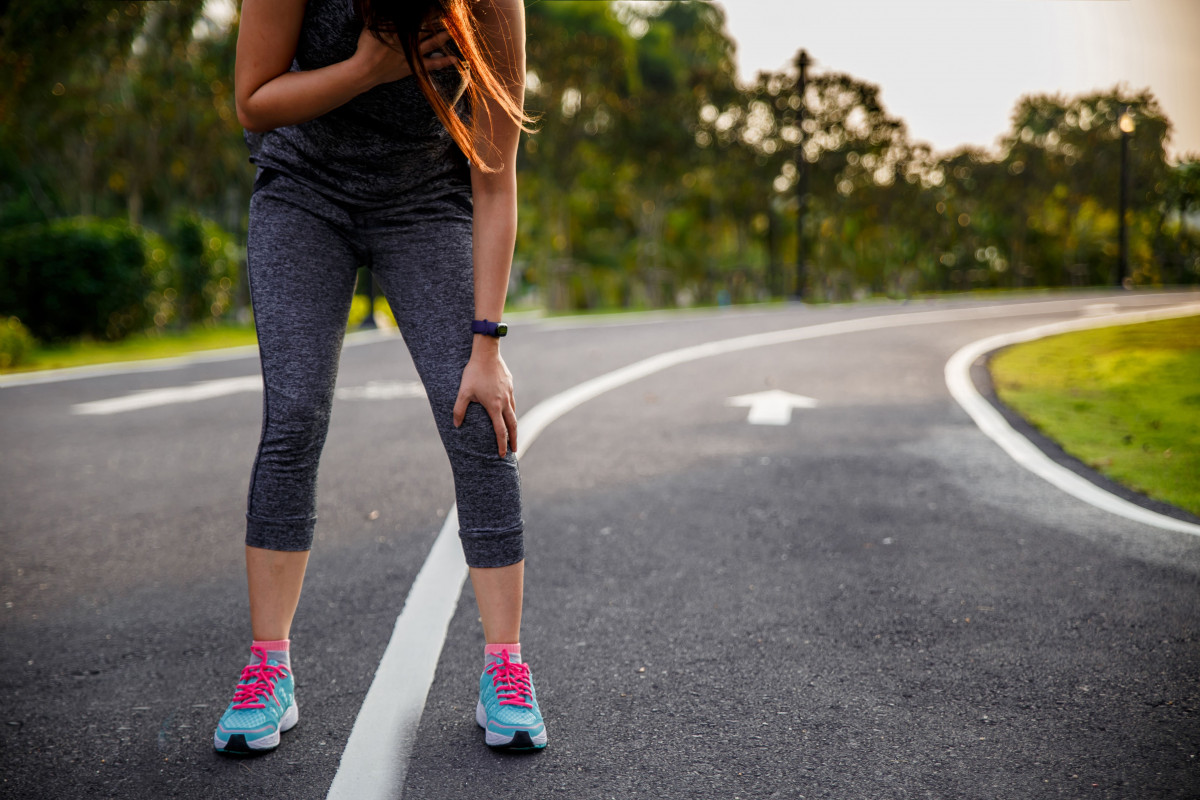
(953, 70)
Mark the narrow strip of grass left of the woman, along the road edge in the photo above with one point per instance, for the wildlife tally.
(136, 348)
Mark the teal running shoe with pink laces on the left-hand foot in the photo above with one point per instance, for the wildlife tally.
(265, 705)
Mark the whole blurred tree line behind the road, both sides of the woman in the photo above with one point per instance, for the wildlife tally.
(656, 179)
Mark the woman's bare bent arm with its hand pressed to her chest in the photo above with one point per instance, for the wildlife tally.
(269, 97)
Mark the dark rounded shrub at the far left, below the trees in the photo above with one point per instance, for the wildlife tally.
(77, 278)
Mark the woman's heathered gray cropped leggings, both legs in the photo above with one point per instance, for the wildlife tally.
(304, 251)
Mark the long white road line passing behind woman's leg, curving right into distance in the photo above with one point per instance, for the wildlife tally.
(377, 754)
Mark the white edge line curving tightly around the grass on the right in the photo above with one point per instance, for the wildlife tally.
(1025, 453)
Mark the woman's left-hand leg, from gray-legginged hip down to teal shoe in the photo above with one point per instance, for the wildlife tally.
(302, 276)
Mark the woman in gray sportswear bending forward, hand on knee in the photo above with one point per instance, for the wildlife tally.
(386, 134)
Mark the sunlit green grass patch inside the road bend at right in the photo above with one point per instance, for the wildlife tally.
(1125, 401)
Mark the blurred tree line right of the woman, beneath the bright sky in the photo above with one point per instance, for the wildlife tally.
(658, 181)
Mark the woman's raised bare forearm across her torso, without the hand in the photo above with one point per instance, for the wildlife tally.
(296, 98)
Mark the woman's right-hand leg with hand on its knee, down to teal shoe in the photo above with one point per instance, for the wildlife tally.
(425, 269)
